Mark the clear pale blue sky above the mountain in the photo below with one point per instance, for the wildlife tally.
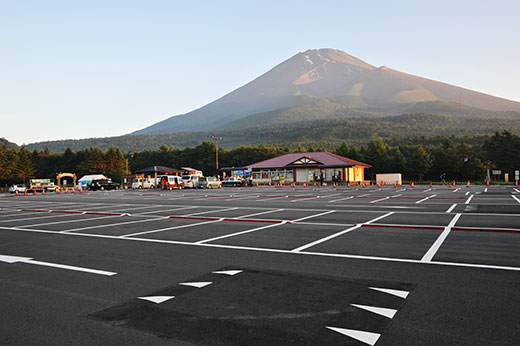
(79, 69)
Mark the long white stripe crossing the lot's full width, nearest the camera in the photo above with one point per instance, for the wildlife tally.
(268, 250)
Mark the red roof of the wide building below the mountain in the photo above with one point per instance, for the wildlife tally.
(320, 158)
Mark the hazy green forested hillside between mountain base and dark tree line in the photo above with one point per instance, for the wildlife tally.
(333, 131)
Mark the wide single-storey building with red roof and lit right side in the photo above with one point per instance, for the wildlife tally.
(309, 167)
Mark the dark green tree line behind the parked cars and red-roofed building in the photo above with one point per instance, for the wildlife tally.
(450, 157)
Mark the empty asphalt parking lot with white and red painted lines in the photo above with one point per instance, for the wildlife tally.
(262, 266)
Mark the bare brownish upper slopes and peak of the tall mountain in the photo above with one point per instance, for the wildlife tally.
(341, 78)
